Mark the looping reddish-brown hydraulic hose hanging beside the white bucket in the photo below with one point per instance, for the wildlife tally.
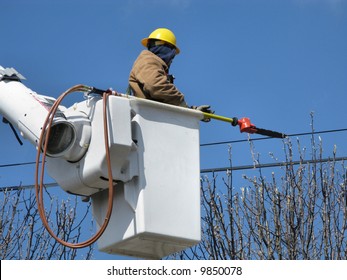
(43, 142)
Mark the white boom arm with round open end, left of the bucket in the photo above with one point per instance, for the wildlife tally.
(26, 110)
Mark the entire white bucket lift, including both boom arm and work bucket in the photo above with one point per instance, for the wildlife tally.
(154, 149)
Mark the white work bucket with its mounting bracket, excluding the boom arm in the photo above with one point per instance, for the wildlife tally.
(155, 160)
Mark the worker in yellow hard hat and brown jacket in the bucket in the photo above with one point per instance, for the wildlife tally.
(150, 78)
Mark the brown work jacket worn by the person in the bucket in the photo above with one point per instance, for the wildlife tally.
(148, 79)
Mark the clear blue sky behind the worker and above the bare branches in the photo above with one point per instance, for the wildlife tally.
(272, 61)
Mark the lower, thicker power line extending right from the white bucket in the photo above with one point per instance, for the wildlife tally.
(266, 165)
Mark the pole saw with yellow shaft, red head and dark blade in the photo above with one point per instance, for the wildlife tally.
(245, 125)
